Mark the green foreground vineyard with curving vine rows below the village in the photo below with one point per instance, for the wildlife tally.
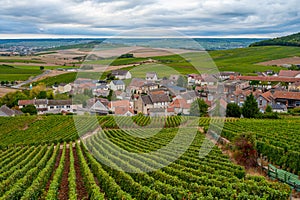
(37, 164)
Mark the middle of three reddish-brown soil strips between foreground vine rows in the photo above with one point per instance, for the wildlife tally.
(64, 187)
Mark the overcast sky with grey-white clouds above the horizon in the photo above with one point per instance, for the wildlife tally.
(98, 18)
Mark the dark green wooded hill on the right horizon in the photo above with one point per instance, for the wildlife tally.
(290, 40)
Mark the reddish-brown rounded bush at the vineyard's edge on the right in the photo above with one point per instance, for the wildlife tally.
(245, 149)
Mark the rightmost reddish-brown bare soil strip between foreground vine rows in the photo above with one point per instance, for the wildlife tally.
(80, 188)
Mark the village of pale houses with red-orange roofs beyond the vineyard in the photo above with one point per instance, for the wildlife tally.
(168, 96)
